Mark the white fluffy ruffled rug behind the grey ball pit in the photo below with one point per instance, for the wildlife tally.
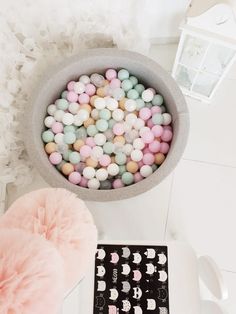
(37, 34)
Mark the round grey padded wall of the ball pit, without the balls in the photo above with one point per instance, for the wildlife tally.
(97, 60)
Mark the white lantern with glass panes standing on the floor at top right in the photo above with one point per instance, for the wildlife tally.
(206, 51)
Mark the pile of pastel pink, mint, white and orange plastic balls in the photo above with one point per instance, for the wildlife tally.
(107, 131)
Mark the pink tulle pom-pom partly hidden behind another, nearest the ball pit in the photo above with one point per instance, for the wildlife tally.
(64, 220)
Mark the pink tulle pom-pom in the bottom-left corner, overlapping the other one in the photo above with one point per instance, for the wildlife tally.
(31, 274)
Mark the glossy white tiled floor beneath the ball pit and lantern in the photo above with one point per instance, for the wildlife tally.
(197, 202)
